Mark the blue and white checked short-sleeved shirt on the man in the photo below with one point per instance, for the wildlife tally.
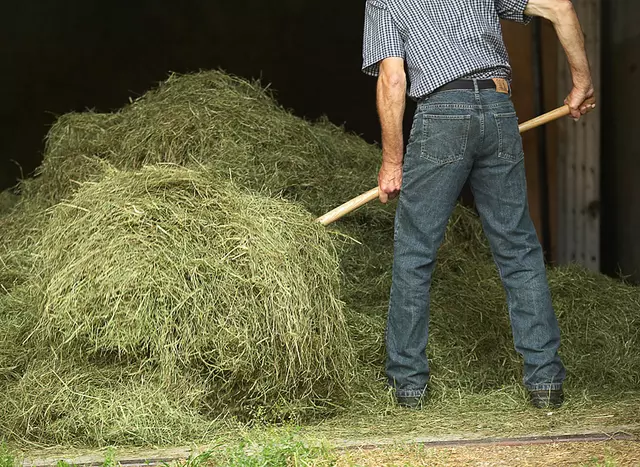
(440, 40)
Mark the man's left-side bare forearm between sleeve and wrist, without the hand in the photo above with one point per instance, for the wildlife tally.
(391, 104)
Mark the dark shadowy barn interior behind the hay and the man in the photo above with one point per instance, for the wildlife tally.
(71, 56)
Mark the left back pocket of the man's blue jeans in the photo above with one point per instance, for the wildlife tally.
(445, 137)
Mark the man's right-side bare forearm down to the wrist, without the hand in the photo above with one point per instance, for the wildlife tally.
(565, 21)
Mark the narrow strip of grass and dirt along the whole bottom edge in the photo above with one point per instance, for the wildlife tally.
(612, 453)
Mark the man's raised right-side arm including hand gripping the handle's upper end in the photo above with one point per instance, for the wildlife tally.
(567, 26)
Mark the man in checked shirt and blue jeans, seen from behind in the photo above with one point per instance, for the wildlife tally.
(465, 128)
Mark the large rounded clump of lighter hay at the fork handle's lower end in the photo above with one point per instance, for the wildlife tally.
(177, 270)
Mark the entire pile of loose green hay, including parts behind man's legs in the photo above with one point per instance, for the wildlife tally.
(154, 280)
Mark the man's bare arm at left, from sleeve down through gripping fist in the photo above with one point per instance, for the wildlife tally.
(391, 95)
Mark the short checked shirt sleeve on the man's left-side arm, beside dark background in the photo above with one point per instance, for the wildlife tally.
(381, 37)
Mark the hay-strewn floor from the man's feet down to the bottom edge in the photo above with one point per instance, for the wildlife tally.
(463, 433)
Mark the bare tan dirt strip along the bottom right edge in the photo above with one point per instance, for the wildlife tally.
(609, 454)
